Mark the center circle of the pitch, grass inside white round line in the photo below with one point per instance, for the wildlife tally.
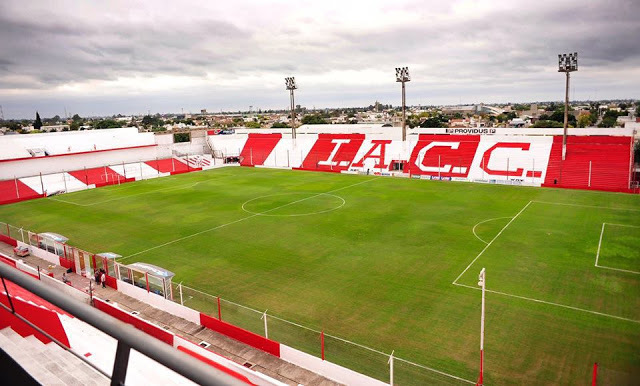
(293, 204)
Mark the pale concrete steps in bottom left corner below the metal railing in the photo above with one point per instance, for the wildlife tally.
(48, 364)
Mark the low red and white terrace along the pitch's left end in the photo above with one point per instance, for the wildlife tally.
(27, 188)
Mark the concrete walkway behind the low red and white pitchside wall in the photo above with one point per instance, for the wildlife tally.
(220, 344)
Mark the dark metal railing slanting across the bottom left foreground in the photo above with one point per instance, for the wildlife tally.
(127, 336)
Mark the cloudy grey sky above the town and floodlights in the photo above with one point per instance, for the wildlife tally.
(109, 57)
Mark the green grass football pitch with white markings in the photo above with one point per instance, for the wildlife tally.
(390, 263)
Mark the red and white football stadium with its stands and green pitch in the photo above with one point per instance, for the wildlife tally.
(341, 252)
